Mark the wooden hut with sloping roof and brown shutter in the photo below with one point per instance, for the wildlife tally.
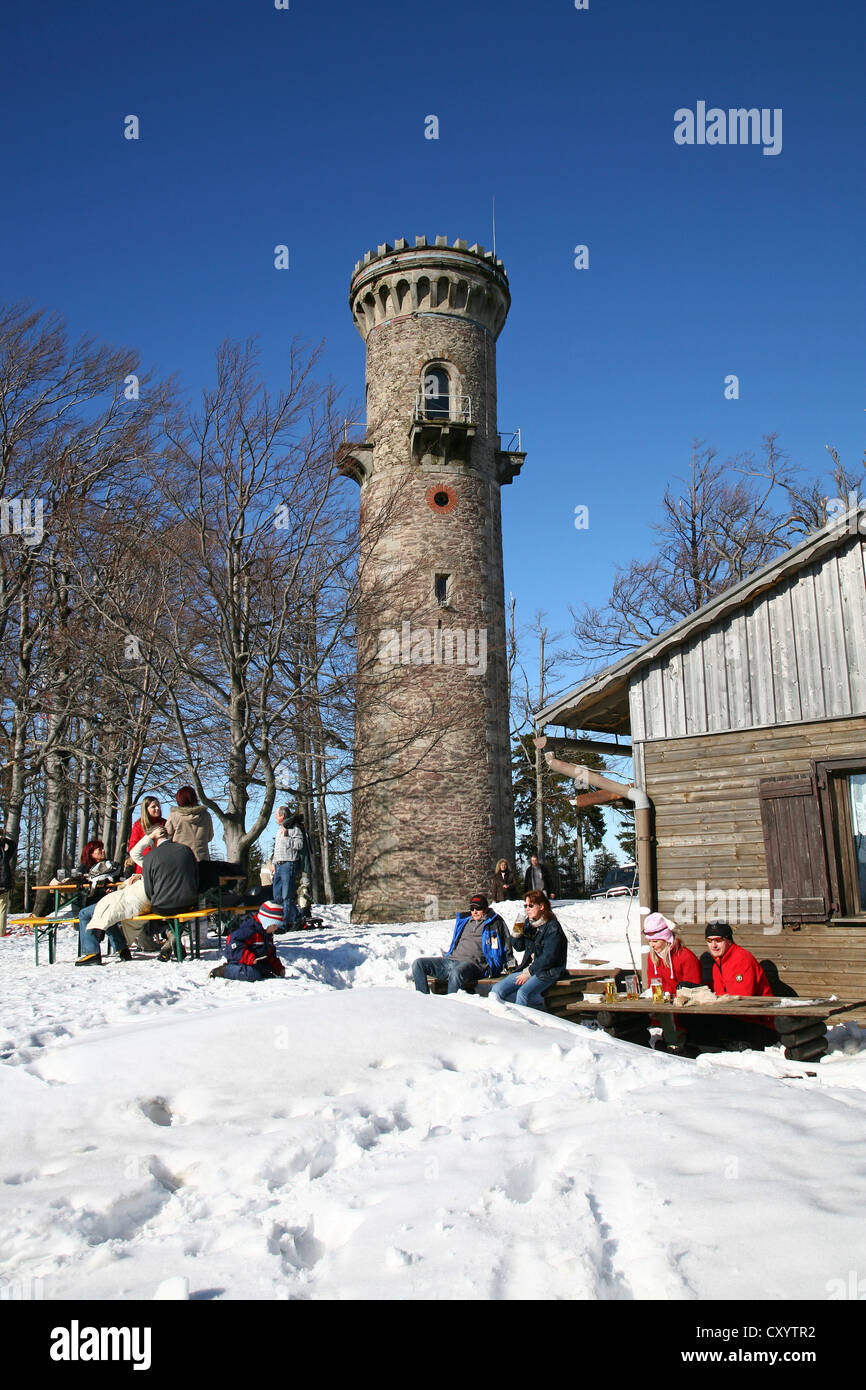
(749, 737)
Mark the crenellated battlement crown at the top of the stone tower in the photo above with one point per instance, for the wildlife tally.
(402, 280)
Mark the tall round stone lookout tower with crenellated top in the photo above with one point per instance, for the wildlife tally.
(433, 806)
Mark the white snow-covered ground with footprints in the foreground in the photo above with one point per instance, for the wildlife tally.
(334, 1135)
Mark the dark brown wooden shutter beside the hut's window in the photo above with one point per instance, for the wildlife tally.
(794, 846)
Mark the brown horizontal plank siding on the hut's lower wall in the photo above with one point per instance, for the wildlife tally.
(708, 826)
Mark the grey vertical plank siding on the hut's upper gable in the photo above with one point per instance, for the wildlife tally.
(796, 654)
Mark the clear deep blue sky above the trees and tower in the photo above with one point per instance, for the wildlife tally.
(307, 127)
